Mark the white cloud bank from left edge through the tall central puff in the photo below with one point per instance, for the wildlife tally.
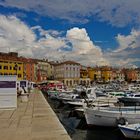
(75, 45)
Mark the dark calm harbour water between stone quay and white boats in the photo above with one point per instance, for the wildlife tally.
(77, 128)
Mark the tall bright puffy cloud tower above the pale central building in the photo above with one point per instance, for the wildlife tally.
(83, 47)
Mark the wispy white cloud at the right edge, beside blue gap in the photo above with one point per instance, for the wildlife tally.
(128, 50)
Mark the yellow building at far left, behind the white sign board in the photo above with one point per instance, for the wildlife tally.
(10, 65)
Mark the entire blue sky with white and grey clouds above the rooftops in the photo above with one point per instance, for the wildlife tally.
(90, 32)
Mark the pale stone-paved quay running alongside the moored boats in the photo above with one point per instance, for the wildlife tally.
(32, 120)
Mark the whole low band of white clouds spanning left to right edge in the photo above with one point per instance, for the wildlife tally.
(75, 44)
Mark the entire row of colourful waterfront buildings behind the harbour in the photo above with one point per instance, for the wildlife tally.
(69, 72)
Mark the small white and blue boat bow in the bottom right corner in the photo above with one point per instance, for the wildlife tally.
(130, 130)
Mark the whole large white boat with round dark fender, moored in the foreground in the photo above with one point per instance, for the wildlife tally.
(111, 116)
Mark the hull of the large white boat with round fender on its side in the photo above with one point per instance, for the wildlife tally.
(108, 118)
